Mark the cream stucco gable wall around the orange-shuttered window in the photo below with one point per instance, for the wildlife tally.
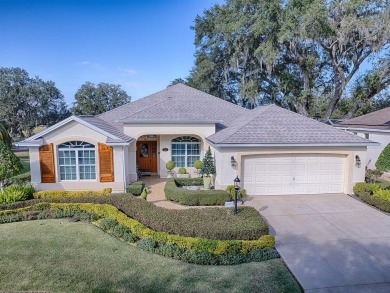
(71, 132)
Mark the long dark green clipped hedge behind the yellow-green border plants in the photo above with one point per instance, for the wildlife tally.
(212, 223)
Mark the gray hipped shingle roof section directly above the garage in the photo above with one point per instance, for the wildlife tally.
(274, 125)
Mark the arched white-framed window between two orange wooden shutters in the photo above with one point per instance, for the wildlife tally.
(77, 161)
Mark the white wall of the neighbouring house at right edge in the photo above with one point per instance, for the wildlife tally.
(373, 152)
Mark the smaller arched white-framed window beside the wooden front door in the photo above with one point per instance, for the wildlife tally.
(185, 151)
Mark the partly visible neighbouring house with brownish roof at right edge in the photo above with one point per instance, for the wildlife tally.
(374, 126)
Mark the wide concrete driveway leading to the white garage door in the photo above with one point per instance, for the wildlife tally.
(330, 242)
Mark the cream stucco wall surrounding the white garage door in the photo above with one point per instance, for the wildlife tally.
(226, 173)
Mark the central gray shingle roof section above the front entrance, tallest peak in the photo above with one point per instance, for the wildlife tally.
(176, 103)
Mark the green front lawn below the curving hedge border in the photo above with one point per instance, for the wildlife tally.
(62, 256)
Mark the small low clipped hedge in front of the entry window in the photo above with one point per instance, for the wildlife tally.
(194, 197)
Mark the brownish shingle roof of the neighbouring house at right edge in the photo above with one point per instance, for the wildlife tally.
(375, 120)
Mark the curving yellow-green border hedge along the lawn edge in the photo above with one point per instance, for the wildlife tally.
(197, 250)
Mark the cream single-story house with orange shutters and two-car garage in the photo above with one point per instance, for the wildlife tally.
(271, 149)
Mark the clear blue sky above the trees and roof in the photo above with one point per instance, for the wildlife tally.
(141, 45)
